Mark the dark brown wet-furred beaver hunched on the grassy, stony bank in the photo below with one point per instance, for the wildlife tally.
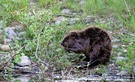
(94, 42)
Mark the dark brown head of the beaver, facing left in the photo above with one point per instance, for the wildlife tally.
(73, 42)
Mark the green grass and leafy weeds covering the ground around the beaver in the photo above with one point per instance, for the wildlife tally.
(42, 40)
